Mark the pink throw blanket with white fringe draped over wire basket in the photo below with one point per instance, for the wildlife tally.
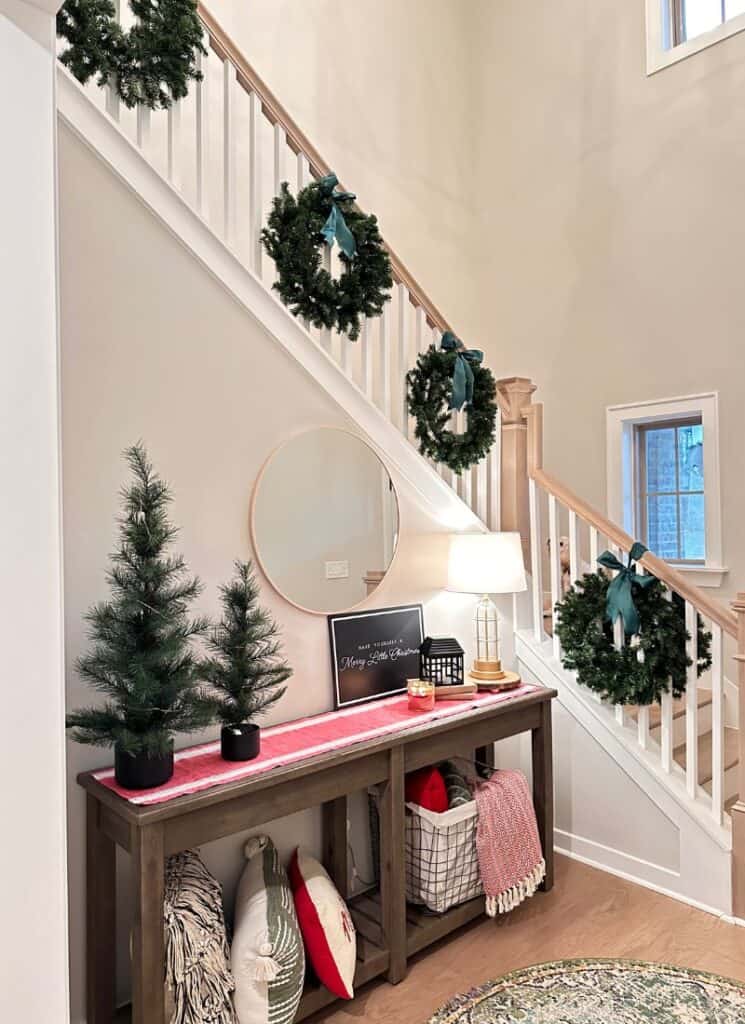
(511, 861)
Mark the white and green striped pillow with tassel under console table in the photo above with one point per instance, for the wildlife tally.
(268, 957)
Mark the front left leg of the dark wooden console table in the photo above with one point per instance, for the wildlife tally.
(149, 961)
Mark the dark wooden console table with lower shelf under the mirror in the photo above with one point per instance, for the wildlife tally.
(389, 931)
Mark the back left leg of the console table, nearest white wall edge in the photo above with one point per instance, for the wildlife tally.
(101, 919)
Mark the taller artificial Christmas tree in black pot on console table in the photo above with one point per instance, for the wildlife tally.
(142, 658)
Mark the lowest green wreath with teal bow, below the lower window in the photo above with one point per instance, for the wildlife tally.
(653, 626)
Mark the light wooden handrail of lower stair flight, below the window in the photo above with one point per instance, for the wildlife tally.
(718, 613)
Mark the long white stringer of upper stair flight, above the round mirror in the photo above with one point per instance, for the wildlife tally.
(94, 126)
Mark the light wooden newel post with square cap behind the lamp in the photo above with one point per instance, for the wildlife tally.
(514, 396)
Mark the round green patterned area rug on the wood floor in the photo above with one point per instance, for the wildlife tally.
(601, 992)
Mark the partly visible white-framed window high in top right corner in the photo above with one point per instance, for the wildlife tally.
(677, 29)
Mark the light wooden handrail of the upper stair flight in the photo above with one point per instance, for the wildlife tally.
(227, 50)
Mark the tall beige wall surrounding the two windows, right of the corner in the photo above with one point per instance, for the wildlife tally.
(616, 226)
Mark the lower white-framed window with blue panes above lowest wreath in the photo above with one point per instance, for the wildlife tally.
(664, 481)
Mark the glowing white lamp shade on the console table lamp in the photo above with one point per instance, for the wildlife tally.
(487, 564)
